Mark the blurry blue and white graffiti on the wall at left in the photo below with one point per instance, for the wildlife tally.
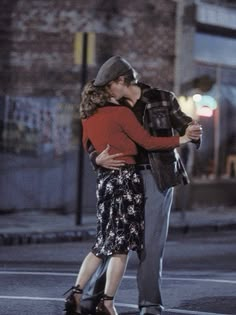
(36, 125)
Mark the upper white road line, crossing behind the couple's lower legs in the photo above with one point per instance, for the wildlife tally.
(70, 274)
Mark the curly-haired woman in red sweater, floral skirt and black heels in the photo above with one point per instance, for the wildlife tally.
(120, 197)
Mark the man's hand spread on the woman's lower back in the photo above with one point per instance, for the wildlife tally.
(106, 160)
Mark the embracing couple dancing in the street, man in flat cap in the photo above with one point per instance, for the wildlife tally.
(129, 133)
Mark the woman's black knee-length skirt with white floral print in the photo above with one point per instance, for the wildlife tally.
(120, 211)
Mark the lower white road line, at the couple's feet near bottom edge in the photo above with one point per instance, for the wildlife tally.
(117, 304)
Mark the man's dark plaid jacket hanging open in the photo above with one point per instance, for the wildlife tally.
(163, 117)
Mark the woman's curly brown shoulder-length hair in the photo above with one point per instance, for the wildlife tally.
(93, 97)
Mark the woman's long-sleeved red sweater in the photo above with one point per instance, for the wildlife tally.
(117, 126)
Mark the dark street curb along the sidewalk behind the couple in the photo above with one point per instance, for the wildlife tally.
(11, 239)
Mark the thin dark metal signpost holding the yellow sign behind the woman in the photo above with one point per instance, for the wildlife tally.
(81, 151)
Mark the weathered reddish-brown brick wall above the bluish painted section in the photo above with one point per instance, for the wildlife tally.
(37, 40)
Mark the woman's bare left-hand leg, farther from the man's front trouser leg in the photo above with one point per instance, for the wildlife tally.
(87, 269)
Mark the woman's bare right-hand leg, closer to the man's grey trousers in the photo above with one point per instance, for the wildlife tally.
(115, 272)
